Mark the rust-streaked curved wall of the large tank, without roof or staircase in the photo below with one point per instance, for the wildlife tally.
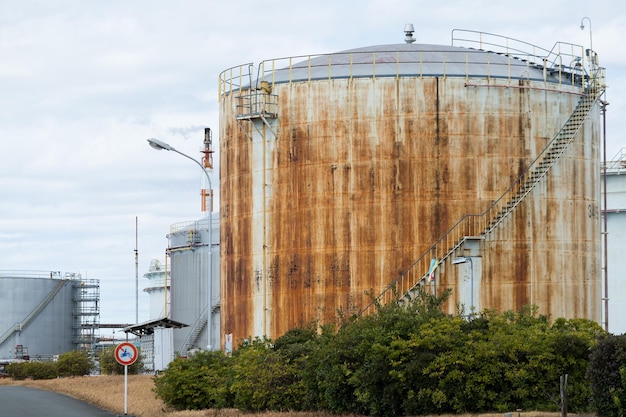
(349, 180)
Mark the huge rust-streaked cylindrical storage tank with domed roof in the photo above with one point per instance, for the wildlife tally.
(347, 174)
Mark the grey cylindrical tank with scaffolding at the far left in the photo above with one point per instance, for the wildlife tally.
(44, 314)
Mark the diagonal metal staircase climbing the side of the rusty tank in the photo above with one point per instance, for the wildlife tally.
(472, 226)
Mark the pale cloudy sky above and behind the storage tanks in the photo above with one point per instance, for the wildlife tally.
(83, 83)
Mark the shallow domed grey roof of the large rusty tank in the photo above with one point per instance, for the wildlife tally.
(410, 60)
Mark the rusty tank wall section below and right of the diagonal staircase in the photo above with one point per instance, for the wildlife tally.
(548, 252)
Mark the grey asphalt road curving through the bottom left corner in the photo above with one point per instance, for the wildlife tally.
(31, 402)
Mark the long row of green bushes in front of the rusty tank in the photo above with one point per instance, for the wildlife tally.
(408, 360)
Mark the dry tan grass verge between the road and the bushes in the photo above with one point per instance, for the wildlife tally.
(108, 392)
